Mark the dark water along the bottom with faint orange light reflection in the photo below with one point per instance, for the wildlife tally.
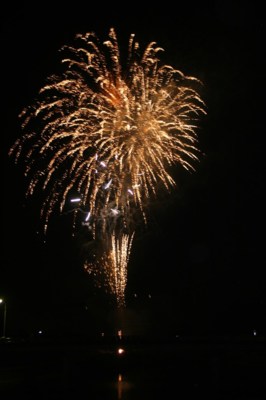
(136, 372)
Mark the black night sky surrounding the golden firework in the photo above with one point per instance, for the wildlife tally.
(201, 258)
